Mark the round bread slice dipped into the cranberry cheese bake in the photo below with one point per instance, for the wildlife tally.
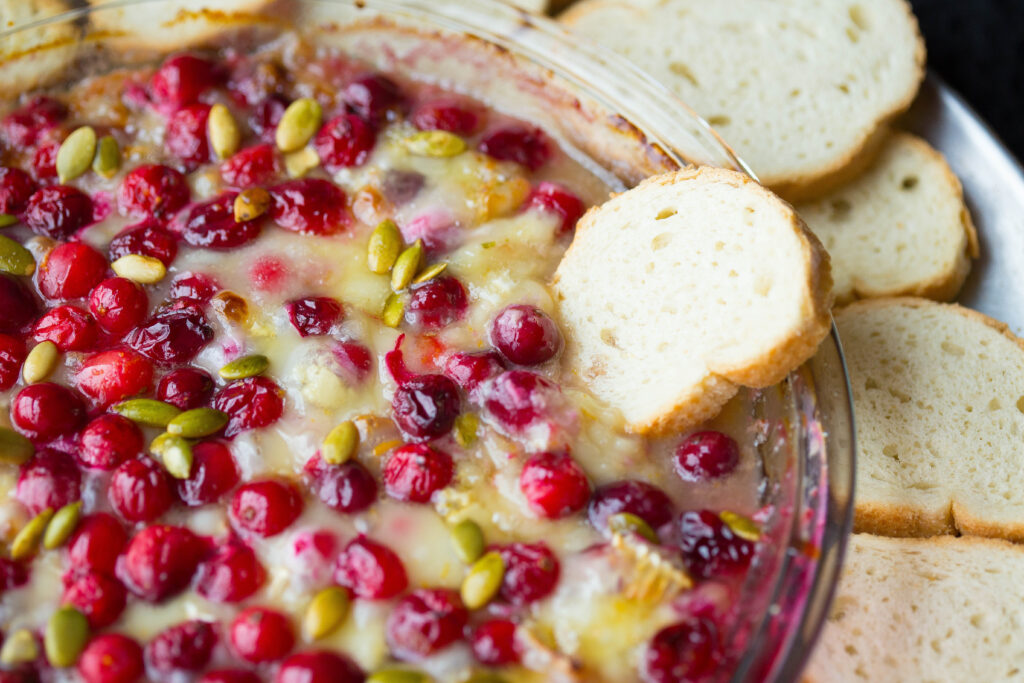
(680, 290)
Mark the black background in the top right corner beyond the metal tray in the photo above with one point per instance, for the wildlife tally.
(978, 48)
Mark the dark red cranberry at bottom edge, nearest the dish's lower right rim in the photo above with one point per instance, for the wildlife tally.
(685, 652)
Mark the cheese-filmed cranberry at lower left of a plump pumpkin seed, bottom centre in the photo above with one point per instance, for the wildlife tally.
(425, 622)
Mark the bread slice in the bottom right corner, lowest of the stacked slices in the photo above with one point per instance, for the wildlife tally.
(925, 610)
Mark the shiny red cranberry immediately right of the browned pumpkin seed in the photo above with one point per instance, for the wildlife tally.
(310, 205)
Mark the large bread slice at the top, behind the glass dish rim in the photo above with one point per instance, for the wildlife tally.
(800, 89)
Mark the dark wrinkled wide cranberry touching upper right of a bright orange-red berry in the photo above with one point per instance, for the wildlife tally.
(173, 335)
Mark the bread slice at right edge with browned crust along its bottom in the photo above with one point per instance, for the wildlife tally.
(938, 394)
